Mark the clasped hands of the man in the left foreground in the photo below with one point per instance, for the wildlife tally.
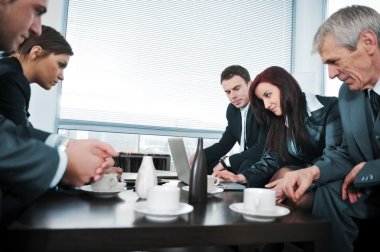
(87, 160)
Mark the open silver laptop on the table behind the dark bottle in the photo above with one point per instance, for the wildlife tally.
(181, 163)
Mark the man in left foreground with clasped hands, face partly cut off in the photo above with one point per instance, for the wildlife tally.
(33, 161)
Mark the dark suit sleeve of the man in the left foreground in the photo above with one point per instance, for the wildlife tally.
(27, 167)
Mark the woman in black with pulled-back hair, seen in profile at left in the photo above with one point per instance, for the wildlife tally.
(39, 59)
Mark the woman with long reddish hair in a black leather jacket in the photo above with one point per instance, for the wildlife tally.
(303, 128)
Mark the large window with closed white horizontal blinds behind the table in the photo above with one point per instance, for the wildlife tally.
(153, 67)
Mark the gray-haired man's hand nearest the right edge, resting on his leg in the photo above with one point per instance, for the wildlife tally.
(348, 190)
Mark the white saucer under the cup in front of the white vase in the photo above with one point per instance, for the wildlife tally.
(142, 207)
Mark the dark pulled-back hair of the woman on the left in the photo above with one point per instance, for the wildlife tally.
(50, 40)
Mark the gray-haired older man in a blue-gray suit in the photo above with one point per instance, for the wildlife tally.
(349, 43)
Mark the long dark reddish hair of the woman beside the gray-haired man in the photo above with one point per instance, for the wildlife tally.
(293, 106)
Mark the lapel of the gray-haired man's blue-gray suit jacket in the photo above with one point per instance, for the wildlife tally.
(358, 121)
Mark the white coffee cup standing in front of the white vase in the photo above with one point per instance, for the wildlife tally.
(163, 199)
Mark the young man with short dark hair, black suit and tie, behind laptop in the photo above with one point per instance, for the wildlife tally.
(235, 82)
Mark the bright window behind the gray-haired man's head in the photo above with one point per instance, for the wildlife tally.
(332, 86)
